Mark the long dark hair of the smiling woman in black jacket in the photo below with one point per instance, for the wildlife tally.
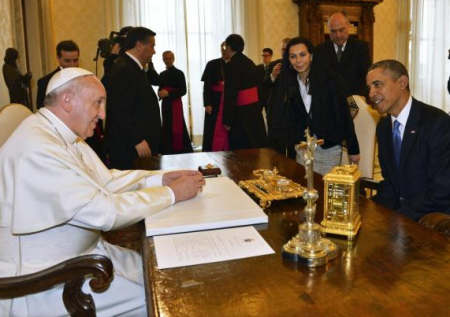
(289, 74)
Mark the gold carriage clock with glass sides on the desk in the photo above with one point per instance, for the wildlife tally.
(341, 213)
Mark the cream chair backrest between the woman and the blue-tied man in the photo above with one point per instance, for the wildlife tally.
(365, 126)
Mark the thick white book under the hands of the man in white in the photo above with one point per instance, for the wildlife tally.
(221, 204)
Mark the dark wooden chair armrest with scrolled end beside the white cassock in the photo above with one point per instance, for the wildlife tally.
(72, 273)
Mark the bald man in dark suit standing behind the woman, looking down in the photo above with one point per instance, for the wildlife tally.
(345, 55)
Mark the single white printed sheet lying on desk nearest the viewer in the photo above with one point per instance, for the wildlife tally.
(209, 246)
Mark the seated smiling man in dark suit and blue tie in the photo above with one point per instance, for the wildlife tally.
(413, 145)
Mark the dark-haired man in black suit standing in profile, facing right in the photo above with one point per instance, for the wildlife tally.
(133, 120)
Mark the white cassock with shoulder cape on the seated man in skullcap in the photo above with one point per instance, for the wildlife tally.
(55, 196)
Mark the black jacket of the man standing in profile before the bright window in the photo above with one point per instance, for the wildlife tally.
(132, 111)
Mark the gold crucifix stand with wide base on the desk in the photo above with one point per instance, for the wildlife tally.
(308, 247)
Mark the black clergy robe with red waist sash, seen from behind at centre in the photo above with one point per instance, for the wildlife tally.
(242, 111)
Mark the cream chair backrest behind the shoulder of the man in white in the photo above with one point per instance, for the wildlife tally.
(10, 117)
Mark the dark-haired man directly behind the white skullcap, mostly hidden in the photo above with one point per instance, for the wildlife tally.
(68, 55)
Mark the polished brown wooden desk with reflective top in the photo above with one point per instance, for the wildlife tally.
(396, 267)
